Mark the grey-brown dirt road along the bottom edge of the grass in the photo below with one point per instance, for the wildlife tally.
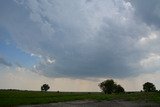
(115, 103)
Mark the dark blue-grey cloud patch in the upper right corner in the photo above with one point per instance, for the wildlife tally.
(148, 11)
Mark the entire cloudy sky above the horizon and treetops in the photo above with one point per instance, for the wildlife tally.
(73, 45)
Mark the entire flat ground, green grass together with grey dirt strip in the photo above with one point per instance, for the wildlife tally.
(77, 99)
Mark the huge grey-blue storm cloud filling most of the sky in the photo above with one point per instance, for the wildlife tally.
(93, 38)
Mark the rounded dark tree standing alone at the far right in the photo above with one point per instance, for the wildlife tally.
(149, 87)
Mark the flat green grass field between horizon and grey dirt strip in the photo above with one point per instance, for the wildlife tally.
(15, 97)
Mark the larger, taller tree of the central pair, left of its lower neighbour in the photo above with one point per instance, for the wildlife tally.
(107, 86)
